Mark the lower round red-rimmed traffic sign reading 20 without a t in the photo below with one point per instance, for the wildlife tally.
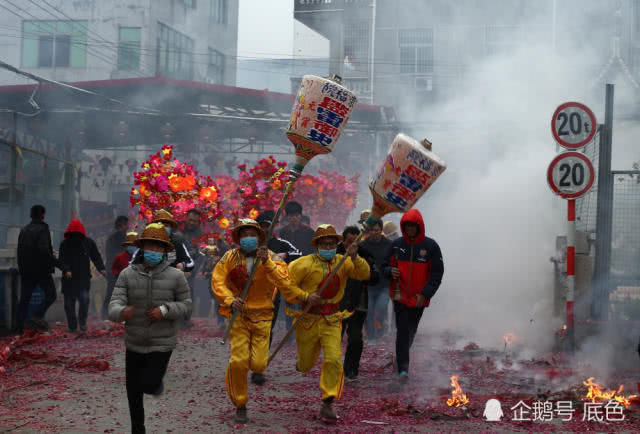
(570, 175)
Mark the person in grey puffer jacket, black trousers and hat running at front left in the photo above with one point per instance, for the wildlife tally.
(152, 298)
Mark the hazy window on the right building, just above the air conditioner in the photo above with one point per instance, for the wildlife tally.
(416, 51)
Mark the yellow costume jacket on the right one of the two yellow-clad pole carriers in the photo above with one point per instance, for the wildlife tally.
(308, 272)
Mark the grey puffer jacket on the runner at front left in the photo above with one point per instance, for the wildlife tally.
(162, 285)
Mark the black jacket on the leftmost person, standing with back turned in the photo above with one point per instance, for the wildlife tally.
(35, 253)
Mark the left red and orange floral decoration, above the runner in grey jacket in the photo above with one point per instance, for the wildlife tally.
(167, 183)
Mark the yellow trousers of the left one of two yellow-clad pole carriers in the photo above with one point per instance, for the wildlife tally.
(249, 351)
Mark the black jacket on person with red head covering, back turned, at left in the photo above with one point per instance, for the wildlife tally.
(77, 254)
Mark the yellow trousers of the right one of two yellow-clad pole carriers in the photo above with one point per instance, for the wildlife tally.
(314, 332)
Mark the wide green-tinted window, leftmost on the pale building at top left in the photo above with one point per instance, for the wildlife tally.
(47, 44)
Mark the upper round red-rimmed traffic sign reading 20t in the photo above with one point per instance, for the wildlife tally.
(573, 125)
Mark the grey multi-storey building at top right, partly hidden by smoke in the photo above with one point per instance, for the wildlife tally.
(409, 53)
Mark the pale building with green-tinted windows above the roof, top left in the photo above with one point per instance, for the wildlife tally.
(71, 40)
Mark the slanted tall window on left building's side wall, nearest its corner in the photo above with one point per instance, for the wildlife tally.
(175, 53)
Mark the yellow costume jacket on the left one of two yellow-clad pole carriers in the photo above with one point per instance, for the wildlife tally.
(230, 275)
